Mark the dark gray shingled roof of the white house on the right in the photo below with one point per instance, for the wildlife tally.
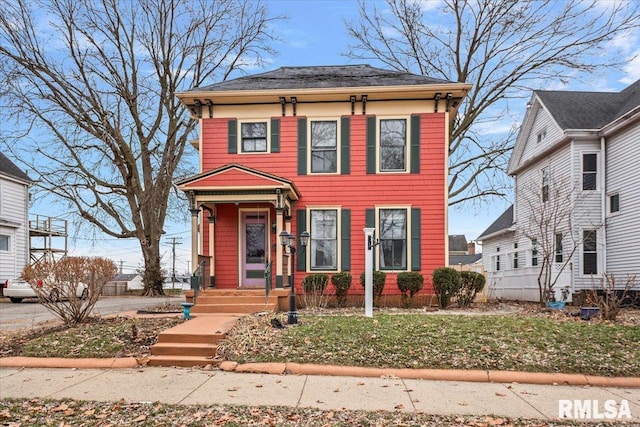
(589, 110)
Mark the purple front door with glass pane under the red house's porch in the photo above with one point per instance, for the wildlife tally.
(254, 248)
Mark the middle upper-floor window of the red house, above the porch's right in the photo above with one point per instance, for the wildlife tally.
(324, 146)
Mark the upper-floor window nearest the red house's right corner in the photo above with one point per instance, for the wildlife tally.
(393, 145)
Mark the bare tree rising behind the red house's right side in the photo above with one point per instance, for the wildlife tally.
(501, 47)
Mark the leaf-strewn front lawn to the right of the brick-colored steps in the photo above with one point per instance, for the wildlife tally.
(510, 342)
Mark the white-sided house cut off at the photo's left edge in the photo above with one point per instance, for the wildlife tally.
(14, 219)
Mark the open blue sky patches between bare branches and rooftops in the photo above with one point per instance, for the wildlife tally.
(315, 35)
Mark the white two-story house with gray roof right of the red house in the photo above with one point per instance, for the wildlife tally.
(581, 149)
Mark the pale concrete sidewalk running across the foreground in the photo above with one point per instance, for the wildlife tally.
(189, 386)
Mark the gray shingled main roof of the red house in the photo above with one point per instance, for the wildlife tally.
(315, 77)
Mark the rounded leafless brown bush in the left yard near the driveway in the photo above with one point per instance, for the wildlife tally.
(69, 288)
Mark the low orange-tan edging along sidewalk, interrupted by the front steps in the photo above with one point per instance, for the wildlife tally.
(291, 368)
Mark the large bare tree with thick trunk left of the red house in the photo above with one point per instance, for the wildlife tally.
(88, 89)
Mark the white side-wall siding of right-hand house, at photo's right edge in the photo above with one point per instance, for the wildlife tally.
(623, 228)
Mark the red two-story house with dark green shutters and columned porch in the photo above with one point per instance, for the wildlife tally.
(328, 150)
